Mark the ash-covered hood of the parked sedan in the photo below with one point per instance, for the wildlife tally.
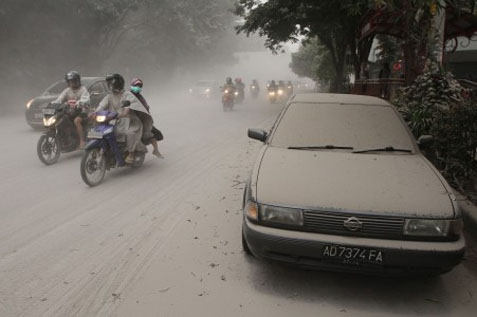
(395, 185)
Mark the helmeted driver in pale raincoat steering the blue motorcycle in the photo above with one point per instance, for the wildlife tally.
(129, 127)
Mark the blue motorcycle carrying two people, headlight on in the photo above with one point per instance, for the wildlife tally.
(103, 152)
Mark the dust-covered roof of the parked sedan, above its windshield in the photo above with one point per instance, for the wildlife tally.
(339, 98)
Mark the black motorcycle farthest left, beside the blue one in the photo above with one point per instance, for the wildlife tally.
(61, 135)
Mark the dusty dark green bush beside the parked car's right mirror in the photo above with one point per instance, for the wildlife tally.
(433, 105)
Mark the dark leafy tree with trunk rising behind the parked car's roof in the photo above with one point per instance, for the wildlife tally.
(334, 23)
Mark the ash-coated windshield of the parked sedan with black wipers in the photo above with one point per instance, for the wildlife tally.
(360, 127)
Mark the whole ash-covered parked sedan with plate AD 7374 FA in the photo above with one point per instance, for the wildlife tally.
(341, 184)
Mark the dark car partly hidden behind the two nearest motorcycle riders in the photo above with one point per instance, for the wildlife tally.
(96, 86)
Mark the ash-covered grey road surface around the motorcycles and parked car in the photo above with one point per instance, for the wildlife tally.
(164, 240)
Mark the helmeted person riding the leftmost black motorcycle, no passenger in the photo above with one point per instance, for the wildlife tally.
(77, 96)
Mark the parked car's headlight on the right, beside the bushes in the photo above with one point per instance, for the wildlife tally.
(433, 228)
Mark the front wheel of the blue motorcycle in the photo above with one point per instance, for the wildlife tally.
(93, 167)
